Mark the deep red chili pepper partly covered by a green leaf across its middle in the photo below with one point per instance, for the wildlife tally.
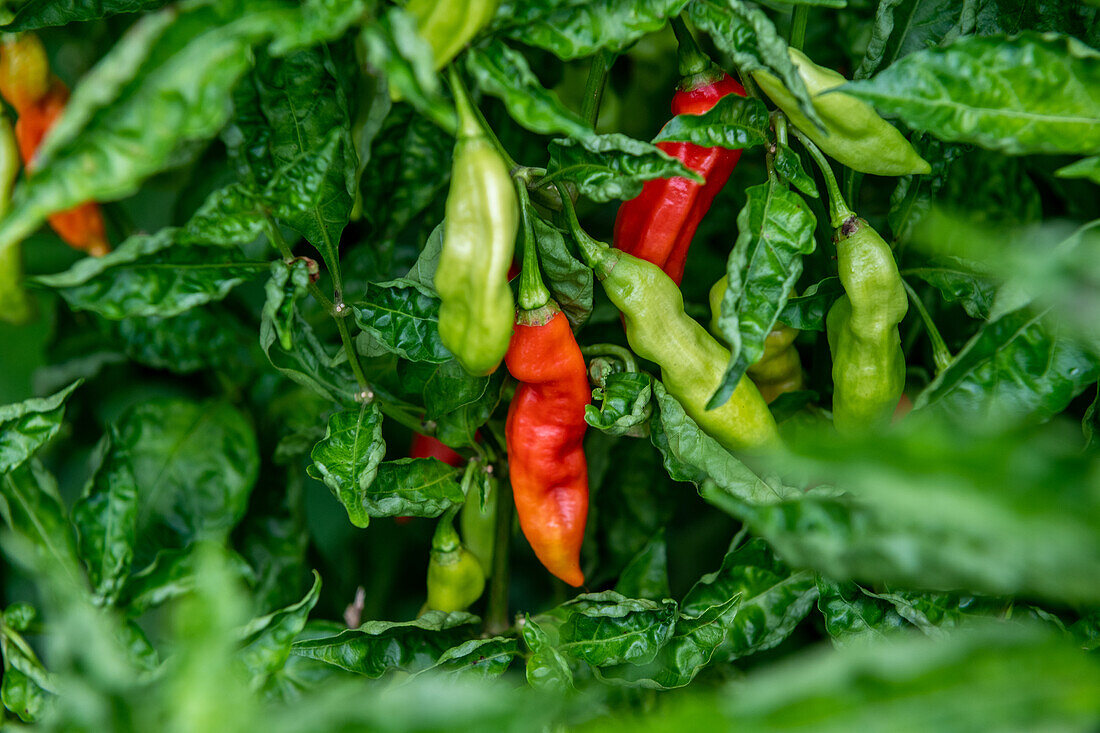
(659, 224)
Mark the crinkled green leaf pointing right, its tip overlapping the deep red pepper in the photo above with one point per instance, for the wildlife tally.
(613, 167)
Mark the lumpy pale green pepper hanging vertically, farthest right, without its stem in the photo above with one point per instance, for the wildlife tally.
(868, 362)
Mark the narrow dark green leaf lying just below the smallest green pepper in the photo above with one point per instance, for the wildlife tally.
(380, 647)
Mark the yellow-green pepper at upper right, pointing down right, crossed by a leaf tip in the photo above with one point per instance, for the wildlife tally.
(854, 135)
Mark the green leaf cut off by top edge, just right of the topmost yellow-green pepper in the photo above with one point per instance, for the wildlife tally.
(573, 30)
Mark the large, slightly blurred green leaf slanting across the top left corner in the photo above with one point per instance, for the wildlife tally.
(163, 89)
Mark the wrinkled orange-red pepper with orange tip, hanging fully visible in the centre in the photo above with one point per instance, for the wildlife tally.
(546, 439)
